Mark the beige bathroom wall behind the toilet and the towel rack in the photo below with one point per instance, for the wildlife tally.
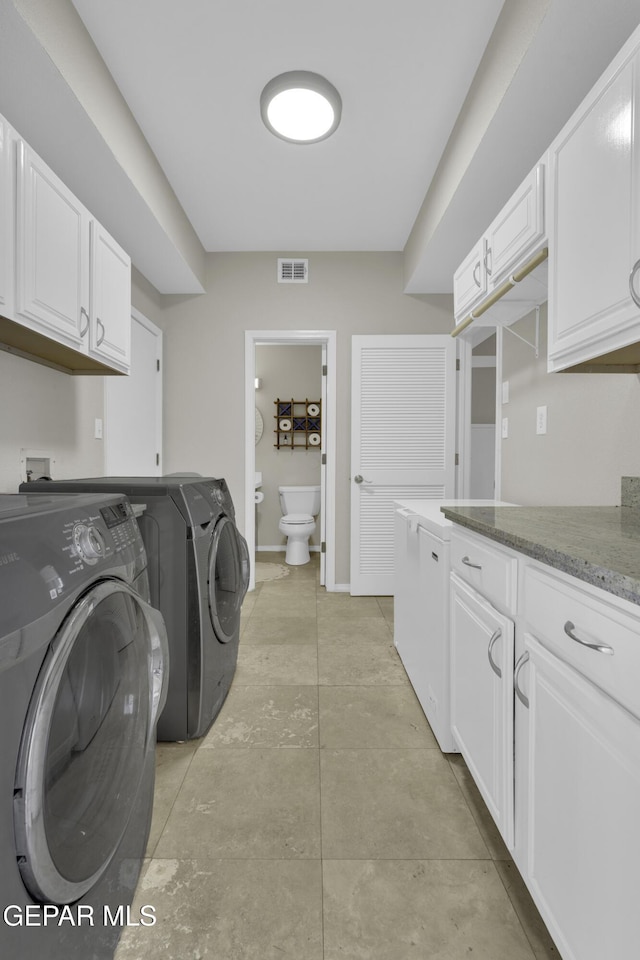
(286, 372)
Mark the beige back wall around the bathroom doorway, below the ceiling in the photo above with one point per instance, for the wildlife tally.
(352, 293)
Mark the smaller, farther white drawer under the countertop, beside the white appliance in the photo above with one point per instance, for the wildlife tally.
(488, 568)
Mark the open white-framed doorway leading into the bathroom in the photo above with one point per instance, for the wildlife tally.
(279, 365)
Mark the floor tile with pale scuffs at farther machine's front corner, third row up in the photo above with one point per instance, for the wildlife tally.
(266, 717)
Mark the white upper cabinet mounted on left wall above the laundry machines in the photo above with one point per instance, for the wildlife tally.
(65, 284)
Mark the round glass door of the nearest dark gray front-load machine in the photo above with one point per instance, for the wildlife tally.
(90, 725)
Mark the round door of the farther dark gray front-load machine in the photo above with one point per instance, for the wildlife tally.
(226, 580)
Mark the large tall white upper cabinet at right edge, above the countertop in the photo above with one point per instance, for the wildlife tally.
(594, 287)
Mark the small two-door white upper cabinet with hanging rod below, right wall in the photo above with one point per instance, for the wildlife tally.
(516, 234)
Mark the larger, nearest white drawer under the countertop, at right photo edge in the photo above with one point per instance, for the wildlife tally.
(556, 606)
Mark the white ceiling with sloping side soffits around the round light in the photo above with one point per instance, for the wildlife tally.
(191, 73)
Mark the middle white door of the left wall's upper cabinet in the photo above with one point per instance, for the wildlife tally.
(52, 267)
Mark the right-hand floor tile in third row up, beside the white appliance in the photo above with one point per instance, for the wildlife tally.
(373, 717)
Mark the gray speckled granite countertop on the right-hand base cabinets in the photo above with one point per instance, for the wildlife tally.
(600, 545)
